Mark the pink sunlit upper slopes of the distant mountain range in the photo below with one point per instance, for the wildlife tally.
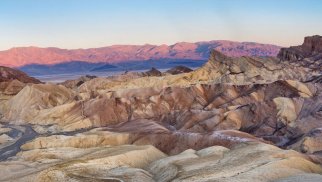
(21, 56)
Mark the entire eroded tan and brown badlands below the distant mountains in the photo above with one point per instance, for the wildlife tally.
(233, 119)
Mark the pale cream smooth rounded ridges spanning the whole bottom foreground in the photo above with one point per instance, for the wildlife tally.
(245, 162)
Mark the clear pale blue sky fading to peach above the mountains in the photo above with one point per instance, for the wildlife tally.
(97, 23)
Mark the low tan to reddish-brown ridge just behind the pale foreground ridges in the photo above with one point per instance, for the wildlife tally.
(143, 133)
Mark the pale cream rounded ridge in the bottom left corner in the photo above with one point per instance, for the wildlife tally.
(64, 164)
